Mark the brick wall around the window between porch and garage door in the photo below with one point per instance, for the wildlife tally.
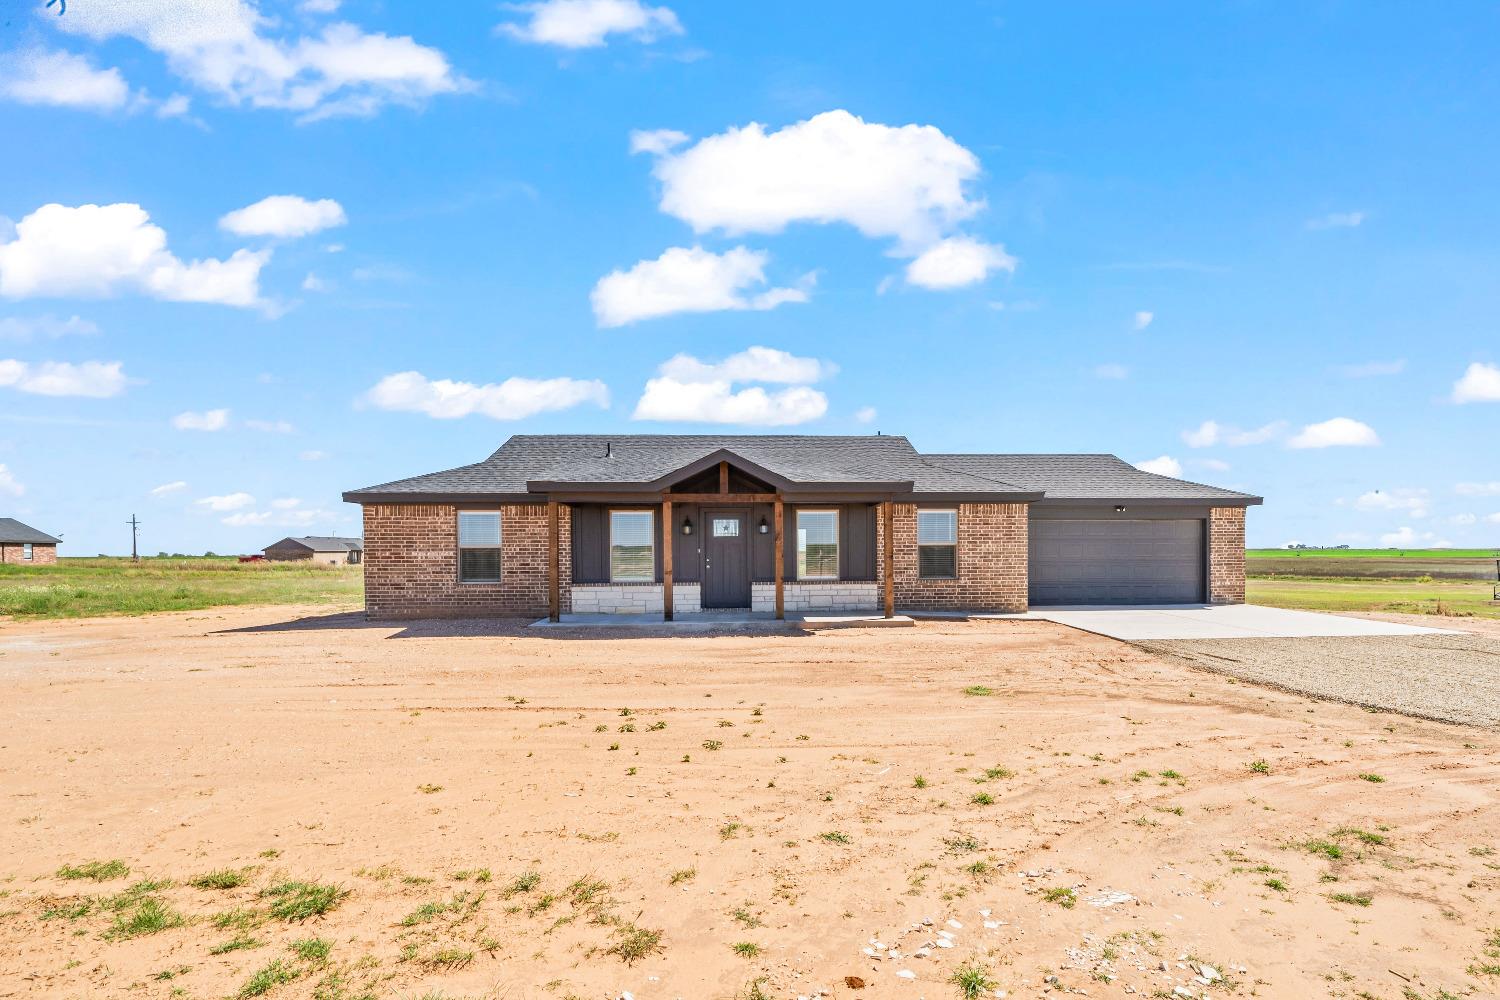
(992, 560)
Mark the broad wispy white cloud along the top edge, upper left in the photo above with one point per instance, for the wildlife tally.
(227, 49)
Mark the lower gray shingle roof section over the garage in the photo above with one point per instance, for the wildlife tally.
(1084, 478)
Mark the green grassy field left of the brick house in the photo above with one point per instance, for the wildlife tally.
(79, 588)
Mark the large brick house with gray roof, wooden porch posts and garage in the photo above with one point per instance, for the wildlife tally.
(775, 524)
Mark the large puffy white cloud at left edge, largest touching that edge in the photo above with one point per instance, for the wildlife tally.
(106, 250)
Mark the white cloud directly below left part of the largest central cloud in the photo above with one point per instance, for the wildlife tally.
(689, 281)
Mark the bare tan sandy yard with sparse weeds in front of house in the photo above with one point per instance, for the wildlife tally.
(722, 791)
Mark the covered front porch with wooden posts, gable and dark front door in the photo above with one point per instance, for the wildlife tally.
(710, 543)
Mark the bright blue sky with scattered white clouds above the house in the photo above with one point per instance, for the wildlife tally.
(257, 254)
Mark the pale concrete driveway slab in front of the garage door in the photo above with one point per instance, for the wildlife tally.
(1228, 621)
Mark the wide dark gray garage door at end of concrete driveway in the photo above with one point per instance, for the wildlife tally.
(1117, 561)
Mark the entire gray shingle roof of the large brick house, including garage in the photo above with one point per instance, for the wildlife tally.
(880, 461)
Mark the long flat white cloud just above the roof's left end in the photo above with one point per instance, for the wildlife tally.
(514, 400)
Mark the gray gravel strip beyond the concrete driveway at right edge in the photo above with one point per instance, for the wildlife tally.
(1445, 678)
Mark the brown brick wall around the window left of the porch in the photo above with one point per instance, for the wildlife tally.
(412, 566)
